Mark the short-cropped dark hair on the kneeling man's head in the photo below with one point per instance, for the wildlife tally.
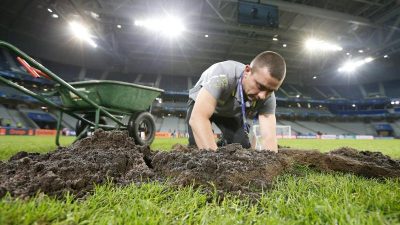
(275, 63)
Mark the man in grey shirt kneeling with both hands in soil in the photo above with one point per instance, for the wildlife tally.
(230, 93)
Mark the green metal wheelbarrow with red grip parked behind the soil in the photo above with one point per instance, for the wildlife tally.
(92, 102)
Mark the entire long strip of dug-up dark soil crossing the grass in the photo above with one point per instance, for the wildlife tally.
(113, 156)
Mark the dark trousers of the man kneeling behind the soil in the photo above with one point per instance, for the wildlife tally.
(231, 128)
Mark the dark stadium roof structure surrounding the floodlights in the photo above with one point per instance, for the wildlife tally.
(368, 25)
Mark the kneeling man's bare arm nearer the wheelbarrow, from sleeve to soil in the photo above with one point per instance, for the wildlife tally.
(199, 121)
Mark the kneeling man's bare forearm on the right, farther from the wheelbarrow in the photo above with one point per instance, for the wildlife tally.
(268, 131)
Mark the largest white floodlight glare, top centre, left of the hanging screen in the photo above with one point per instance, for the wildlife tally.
(170, 26)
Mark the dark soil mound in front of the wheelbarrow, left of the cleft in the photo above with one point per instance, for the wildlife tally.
(104, 156)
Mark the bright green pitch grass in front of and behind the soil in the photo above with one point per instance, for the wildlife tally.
(309, 198)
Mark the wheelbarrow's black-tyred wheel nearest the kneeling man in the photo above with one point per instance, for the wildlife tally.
(142, 128)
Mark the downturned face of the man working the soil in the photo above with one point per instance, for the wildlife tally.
(259, 84)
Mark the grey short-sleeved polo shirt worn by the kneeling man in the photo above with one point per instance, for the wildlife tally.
(221, 81)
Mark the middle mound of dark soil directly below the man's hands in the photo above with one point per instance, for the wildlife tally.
(231, 168)
